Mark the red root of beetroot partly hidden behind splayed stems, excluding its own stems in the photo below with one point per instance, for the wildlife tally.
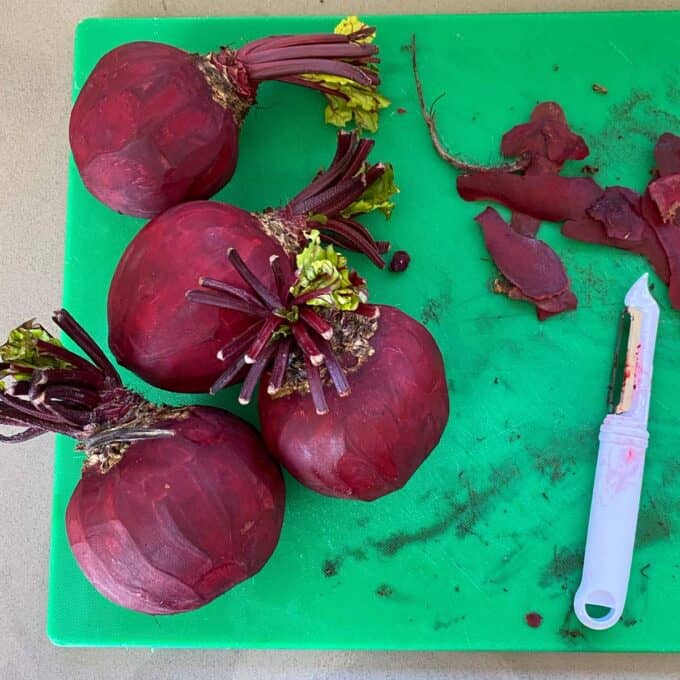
(153, 329)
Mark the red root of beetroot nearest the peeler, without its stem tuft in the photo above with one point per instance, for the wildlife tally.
(371, 442)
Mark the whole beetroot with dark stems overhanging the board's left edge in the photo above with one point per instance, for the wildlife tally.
(175, 505)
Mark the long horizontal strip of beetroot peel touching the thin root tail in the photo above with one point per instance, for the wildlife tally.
(545, 197)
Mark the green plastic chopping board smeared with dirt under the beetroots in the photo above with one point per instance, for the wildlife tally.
(492, 526)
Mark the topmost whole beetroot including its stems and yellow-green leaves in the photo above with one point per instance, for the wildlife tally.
(154, 126)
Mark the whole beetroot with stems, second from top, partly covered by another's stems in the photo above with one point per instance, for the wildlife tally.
(172, 343)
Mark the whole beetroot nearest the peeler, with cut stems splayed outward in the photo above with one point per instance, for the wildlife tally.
(340, 378)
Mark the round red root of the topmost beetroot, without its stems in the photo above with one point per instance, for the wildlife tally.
(146, 133)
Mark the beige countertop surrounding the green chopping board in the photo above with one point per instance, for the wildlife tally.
(35, 83)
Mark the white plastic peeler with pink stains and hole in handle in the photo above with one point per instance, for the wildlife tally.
(618, 475)
